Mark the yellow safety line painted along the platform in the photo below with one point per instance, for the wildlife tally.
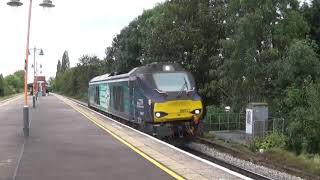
(153, 161)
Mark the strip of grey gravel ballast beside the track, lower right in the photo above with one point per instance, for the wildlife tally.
(270, 173)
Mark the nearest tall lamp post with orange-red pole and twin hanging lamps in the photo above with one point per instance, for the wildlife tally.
(16, 3)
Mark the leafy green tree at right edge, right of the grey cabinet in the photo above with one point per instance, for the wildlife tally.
(299, 72)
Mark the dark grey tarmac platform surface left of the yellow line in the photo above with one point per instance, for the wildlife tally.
(63, 144)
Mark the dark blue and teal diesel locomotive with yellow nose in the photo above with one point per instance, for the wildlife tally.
(158, 98)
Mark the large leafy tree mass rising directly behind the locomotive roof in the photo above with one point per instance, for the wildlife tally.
(187, 33)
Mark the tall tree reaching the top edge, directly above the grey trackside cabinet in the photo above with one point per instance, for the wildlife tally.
(258, 33)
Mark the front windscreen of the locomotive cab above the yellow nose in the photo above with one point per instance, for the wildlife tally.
(172, 82)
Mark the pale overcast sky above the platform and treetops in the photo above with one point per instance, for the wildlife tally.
(81, 27)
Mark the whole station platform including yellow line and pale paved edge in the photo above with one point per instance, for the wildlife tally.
(69, 141)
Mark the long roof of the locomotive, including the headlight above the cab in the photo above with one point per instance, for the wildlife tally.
(149, 68)
